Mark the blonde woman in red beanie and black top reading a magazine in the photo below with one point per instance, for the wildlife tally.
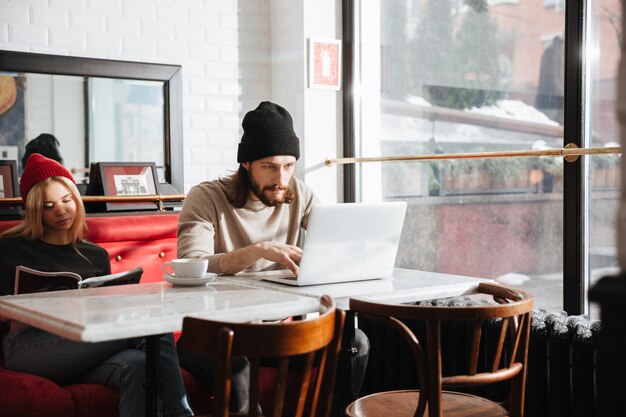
(51, 239)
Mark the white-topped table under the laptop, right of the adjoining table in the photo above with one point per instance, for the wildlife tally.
(406, 285)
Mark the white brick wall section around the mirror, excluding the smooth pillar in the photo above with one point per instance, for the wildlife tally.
(223, 47)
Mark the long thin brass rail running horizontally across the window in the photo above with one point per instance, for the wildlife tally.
(570, 153)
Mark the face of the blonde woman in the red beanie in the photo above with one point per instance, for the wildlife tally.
(59, 208)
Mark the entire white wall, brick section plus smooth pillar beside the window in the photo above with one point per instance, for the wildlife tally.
(234, 54)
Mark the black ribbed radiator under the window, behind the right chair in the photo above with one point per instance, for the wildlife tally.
(561, 363)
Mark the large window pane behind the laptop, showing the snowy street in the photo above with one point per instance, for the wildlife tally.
(449, 76)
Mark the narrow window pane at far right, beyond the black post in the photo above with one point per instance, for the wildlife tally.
(603, 53)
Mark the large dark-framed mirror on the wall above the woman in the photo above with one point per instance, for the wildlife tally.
(99, 110)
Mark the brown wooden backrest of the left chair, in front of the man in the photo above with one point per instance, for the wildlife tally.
(311, 346)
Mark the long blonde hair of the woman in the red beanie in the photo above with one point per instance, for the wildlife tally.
(32, 227)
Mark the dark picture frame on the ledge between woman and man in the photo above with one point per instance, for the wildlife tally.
(128, 179)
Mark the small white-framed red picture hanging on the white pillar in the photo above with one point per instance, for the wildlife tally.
(325, 64)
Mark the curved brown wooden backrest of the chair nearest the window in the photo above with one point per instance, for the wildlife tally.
(492, 358)
